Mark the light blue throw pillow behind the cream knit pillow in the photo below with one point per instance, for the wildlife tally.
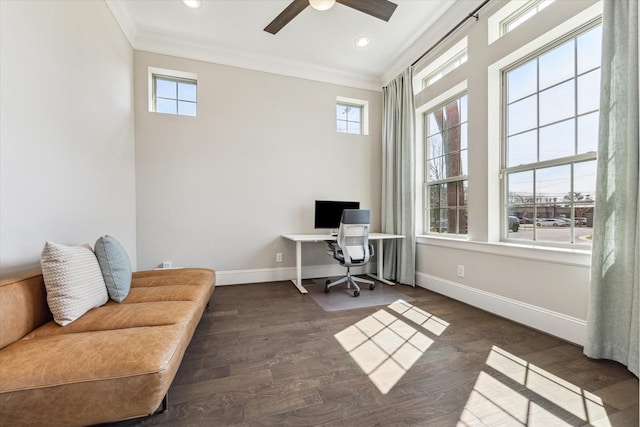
(116, 267)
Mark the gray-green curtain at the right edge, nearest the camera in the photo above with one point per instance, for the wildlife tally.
(613, 322)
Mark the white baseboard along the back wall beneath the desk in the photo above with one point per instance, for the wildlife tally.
(258, 275)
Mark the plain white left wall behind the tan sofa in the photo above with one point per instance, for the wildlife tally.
(66, 129)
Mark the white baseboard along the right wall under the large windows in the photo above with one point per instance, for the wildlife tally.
(560, 325)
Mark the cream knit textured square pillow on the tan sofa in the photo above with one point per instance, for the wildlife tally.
(73, 281)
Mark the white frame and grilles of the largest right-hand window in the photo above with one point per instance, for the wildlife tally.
(534, 167)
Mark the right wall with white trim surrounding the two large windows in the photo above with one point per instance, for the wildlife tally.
(541, 287)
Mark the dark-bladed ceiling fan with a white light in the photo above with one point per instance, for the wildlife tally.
(382, 9)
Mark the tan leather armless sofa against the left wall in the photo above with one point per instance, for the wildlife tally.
(115, 362)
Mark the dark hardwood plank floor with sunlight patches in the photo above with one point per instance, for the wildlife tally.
(264, 354)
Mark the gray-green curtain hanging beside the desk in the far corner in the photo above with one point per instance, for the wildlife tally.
(398, 178)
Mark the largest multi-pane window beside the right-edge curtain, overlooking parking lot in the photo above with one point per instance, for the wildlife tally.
(551, 104)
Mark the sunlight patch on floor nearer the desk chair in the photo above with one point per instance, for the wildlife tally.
(385, 347)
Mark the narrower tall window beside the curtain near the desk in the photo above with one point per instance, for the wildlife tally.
(446, 167)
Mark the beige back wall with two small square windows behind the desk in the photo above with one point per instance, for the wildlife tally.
(219, 190)
